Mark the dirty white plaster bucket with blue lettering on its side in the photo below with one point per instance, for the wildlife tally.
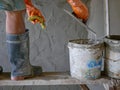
(85, 58)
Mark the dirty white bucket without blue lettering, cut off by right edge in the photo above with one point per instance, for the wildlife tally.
(112, 56)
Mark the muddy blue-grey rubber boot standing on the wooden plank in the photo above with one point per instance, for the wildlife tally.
(18, 53)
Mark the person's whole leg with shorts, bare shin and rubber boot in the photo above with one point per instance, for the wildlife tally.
(18, 41)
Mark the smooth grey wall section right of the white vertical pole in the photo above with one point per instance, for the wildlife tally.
(114, 13)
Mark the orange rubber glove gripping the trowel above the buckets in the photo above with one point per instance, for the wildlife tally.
(79, 9)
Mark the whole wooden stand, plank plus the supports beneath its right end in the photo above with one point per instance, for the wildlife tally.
(60, 78)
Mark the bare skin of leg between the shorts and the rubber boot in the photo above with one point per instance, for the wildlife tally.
(15, 22)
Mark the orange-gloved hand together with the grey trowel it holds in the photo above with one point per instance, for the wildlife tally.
(80, 12)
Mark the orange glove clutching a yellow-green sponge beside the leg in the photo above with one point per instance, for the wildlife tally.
(34, 15)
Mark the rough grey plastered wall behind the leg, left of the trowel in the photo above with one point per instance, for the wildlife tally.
(48, 48)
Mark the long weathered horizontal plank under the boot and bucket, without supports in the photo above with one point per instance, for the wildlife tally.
(49, 78)
